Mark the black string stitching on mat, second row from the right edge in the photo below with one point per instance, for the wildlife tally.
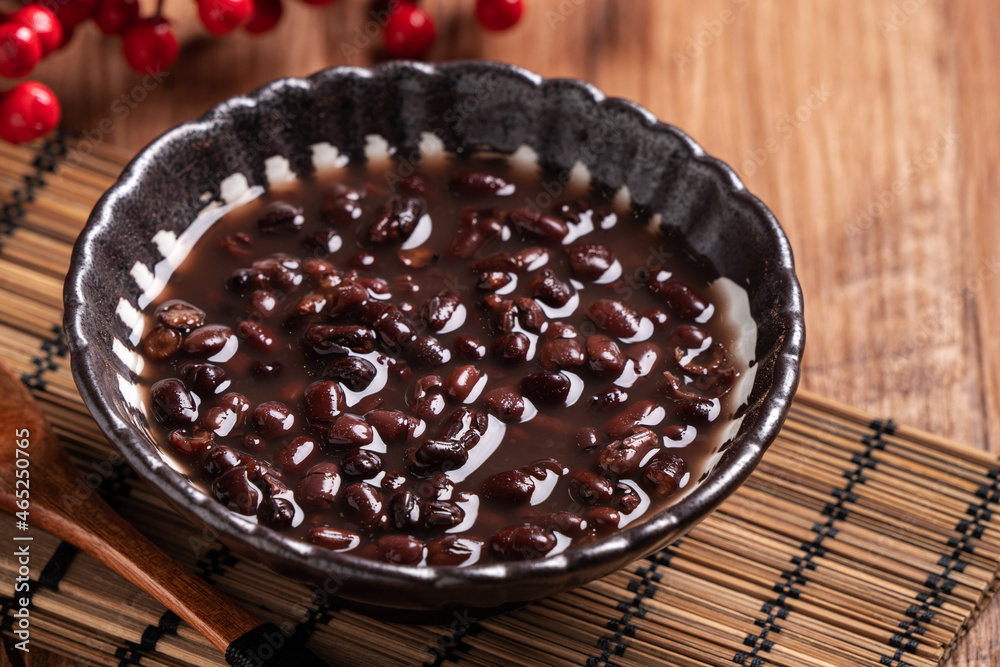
(786, 588)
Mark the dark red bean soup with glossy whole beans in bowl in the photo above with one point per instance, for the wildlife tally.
(467, 360)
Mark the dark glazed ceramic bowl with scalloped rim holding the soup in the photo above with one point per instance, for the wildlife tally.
(475, 105)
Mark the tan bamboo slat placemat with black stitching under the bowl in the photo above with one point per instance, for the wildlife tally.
(856, 542)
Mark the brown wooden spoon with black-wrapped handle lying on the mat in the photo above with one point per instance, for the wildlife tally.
(94, 527)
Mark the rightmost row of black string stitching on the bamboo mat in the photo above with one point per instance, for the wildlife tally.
(940, 585)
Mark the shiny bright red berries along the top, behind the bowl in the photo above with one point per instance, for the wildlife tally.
(30, 109)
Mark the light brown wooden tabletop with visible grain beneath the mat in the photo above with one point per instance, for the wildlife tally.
(869, 128)
